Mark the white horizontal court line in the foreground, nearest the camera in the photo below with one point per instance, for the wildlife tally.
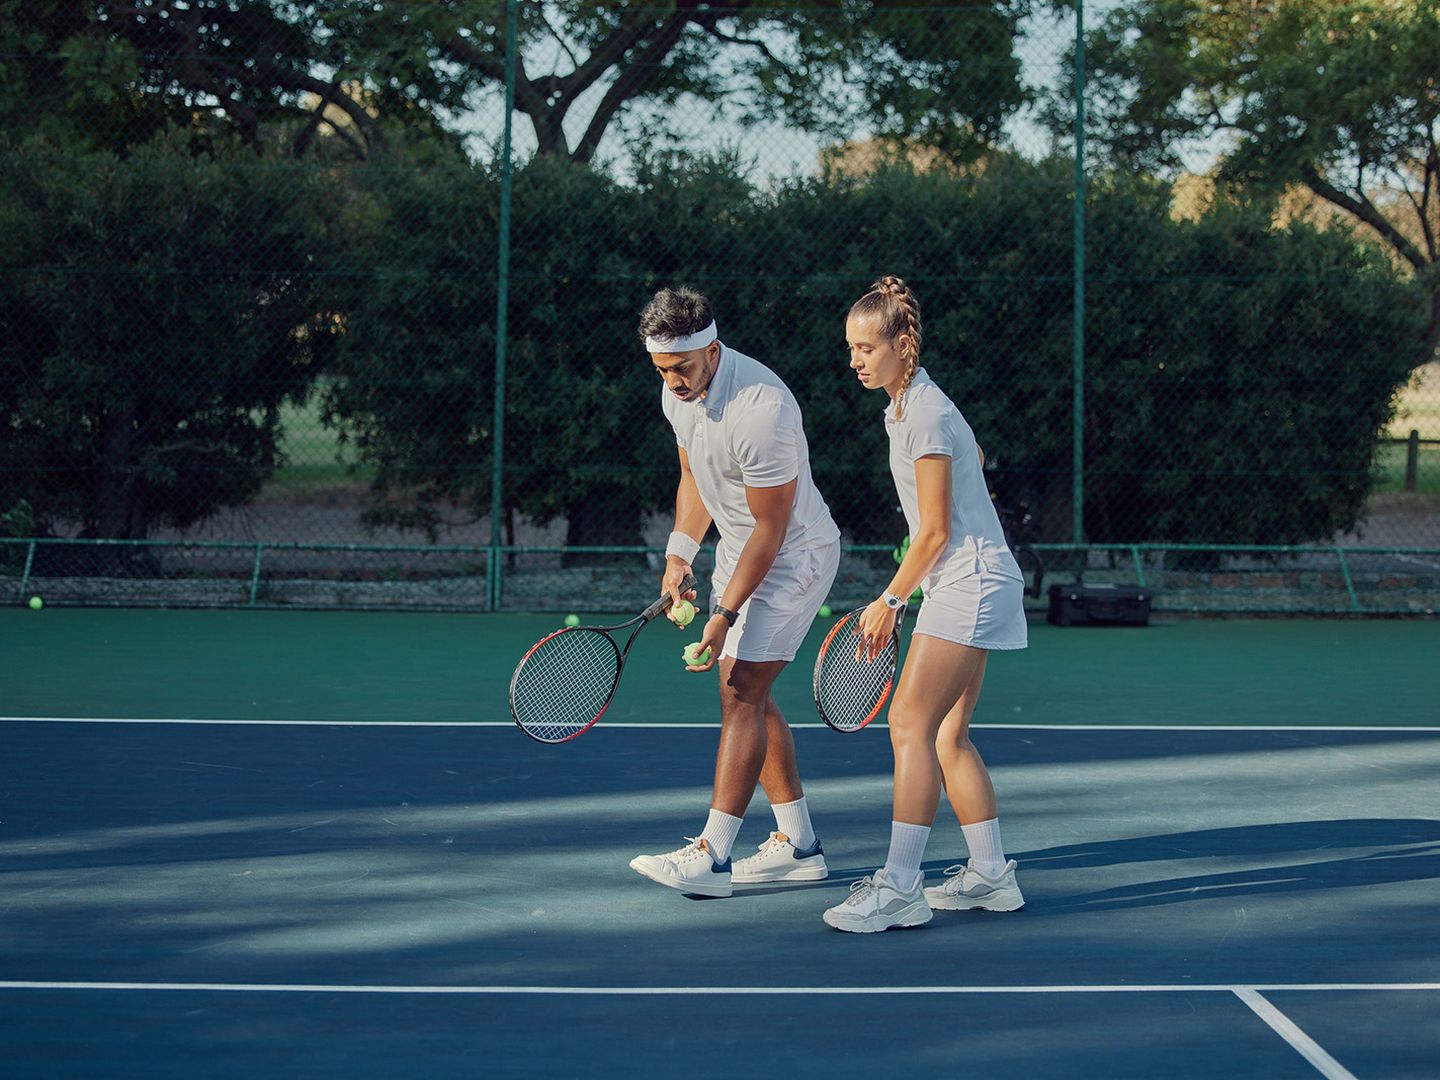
(703, 991)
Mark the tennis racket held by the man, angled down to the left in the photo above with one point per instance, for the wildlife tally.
(568, 679)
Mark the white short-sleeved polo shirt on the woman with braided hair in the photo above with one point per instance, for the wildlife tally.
(934, 426)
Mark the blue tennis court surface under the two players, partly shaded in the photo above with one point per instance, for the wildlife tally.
(413, 899)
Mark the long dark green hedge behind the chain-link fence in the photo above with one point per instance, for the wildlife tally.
(158, 312)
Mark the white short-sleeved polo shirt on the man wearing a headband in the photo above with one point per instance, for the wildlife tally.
(748, 433)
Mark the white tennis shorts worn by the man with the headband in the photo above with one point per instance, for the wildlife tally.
(781, 613)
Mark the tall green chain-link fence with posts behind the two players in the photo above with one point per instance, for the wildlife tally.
(286, 325)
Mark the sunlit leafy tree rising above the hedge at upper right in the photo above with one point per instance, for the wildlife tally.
(1336, 96)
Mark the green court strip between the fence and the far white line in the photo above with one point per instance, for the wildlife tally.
(358, 667)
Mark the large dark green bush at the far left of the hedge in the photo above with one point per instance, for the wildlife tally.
(155, 316)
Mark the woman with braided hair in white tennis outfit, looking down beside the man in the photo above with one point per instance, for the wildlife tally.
(973, 606)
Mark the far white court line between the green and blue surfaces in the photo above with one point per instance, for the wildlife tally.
(669, 725)
